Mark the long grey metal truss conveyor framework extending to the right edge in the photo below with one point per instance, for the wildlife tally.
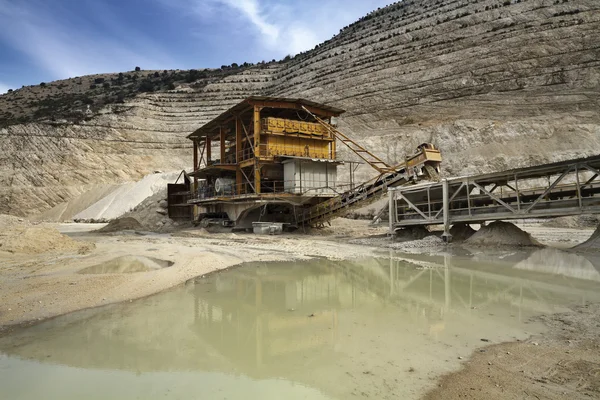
(550, 190)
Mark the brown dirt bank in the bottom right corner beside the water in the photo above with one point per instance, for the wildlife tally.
(562, 363)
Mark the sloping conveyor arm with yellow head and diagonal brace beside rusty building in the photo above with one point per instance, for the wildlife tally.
(423, 164)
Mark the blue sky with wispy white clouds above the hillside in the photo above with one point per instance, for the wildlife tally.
(46, 40)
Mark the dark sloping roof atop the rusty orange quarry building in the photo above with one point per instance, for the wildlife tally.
(247, 104)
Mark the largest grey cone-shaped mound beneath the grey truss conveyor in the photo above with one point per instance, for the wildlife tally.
(500, 233)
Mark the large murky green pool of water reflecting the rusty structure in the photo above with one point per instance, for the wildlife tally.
(381, 328)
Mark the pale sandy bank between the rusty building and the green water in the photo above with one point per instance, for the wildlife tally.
(43, 285)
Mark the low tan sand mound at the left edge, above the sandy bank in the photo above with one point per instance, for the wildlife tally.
(20, 236)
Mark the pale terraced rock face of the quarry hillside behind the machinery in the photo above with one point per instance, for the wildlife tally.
(496, 84)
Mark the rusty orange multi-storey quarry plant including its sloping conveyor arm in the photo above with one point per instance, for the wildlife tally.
(275, 160)
